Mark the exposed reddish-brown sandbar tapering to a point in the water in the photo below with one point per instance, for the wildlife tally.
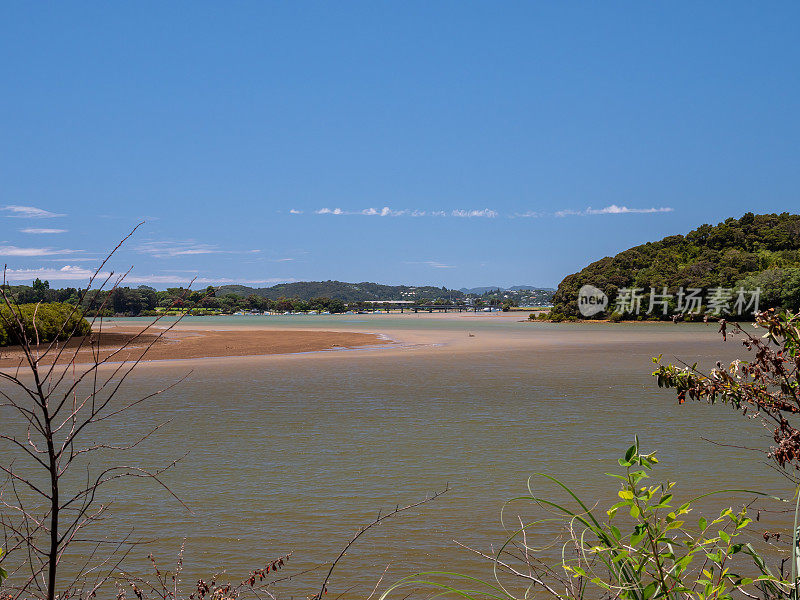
(122, 344)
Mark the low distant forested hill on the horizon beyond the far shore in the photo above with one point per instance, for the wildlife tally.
(347, 292)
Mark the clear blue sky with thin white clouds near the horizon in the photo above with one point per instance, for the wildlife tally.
(447, 143)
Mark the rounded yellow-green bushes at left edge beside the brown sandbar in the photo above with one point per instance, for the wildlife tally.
(48, 321)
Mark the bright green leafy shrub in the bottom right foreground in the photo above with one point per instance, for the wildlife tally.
(659, 556)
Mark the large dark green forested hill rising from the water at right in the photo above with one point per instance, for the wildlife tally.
(755, 251)
